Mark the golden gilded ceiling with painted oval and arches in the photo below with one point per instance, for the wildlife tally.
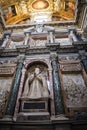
(34, 11)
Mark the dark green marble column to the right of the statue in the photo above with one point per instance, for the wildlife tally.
(57, 88)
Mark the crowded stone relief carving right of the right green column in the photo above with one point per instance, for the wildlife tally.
(75, 90)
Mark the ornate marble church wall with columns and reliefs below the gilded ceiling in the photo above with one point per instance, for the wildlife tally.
(43, 75)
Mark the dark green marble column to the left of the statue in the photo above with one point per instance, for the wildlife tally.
(14, 92)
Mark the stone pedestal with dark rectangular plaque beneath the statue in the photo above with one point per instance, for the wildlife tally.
(36, 109)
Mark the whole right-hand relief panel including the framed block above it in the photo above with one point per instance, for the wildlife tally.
(74, 88)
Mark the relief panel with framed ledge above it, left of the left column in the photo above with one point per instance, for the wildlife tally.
(6, 79)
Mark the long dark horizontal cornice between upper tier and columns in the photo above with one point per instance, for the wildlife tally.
(44, 50)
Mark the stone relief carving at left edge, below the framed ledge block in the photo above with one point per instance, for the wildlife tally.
(5, 86)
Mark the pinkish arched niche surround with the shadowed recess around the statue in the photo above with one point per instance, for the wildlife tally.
(29, 67)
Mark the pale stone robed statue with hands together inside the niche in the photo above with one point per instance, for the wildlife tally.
(36, 86)
